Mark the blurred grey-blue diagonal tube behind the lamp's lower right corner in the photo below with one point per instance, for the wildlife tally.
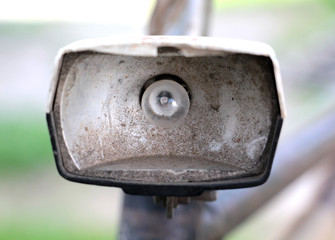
(293, 158)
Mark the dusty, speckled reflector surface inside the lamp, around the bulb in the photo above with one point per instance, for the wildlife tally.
(233, 102)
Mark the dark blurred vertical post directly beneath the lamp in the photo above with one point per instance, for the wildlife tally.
(143, 219)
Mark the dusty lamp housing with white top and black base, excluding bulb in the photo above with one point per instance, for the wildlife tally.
(227, 139)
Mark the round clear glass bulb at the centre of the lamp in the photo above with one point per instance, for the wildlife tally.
(165, 103)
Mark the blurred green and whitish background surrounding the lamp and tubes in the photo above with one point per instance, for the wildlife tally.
(36, 203)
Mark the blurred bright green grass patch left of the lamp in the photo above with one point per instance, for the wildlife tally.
(24, 142)
